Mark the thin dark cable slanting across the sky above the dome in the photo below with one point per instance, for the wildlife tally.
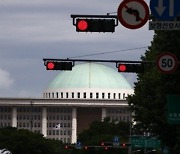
(103, 53)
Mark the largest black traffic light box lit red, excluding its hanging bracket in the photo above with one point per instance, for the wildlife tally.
(95, 25)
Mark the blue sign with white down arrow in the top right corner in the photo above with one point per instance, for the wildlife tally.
(165, 9)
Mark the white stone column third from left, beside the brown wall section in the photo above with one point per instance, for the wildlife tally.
(74, 125)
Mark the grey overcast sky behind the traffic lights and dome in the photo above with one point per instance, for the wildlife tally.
(31, 30)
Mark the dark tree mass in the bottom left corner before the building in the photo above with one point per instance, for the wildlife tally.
(25, 142)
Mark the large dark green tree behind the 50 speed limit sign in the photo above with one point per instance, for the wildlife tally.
(149, 102)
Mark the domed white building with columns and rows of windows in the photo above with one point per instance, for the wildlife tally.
(74, 99)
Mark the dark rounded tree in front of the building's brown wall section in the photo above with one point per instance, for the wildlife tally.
(104, 132)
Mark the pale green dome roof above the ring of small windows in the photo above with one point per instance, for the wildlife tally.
(90, 75)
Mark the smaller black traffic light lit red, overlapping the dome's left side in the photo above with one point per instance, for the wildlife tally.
(54, 65)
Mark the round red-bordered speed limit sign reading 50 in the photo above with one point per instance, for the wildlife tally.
(167, 62)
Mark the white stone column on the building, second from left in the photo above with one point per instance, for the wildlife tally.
(44, 121)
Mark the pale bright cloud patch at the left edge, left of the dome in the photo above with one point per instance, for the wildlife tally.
(5, 79)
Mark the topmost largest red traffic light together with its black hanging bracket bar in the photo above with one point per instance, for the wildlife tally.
(95, 23)
